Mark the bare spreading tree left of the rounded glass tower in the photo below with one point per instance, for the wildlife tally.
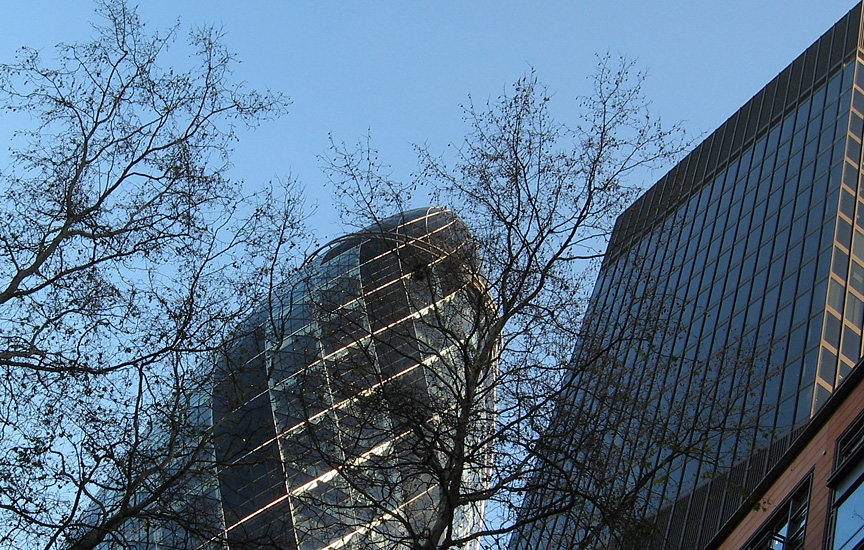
(128, 258)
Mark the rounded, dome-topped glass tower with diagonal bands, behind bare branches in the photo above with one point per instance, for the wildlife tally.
(317, 402)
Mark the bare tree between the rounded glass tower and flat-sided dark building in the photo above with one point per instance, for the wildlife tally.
(499, 331)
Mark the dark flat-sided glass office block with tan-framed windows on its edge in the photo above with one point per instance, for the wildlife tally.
(753, 247)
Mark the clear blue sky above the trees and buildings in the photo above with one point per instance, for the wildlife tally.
(400, 70)
